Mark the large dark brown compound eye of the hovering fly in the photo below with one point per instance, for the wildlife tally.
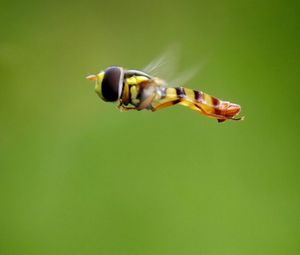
(112, 84)
